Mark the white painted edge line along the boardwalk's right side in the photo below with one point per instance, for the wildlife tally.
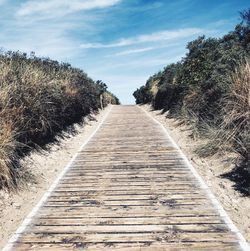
(242, 241)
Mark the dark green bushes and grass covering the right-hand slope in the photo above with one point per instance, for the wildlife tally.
(210, 89)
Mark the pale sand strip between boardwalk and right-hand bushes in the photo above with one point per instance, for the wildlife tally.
(236, 205)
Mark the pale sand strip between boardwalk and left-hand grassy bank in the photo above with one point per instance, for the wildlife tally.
(44, 168)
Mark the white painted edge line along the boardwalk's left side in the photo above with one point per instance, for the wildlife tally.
(30, 216)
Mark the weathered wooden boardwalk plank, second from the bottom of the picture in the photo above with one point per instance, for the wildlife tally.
(170, 236)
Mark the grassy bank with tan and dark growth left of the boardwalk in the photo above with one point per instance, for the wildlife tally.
(40, 98)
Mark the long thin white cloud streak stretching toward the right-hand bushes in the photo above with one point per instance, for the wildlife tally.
(153, 37)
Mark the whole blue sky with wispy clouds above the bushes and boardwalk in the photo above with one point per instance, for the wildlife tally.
(121, 42)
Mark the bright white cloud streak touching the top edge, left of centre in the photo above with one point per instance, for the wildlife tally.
(47, 7)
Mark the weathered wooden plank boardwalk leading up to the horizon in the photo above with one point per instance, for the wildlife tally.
(128, 189)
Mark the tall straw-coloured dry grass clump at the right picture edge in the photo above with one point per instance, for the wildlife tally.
(236, 120)
